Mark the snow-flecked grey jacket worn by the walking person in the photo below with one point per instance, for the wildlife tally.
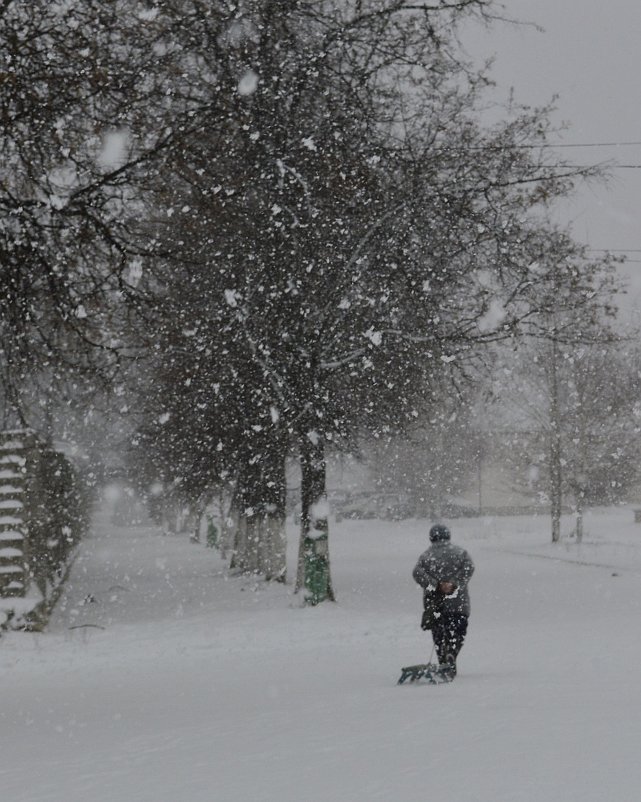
(445, 562)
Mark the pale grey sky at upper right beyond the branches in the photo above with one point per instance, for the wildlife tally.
(590, 56)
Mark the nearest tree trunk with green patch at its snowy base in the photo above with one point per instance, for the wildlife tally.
(313, 556)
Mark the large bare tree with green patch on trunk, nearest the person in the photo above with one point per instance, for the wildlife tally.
(338, 226)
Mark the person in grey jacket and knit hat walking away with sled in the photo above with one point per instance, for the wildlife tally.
(443, 572)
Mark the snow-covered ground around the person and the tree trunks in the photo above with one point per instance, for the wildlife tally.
(162, 679)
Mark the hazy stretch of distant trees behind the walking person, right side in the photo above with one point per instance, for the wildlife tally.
(555, 423)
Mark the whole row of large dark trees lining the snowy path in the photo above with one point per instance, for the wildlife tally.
(282, 222)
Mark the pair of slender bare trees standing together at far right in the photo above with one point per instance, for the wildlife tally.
(574, 409)
